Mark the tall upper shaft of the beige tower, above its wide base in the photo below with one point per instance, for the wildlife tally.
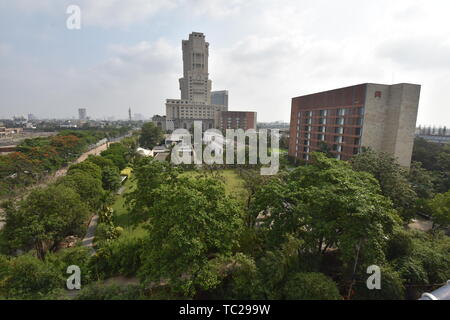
(195, 85)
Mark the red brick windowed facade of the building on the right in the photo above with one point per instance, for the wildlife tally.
(333, 118)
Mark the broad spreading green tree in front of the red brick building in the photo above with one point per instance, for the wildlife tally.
(328, 205)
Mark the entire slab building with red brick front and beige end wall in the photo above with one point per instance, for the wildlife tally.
(381, 117)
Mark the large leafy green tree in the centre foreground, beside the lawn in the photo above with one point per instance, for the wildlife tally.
(192, 224)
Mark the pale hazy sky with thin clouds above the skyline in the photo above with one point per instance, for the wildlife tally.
(128, 53)
